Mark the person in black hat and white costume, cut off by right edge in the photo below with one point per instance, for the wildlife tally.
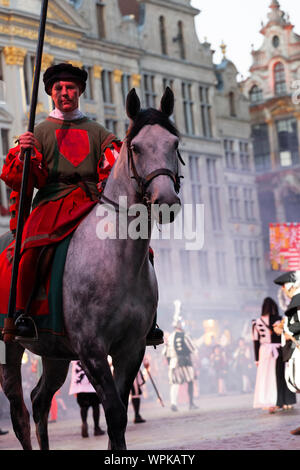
(290, 329)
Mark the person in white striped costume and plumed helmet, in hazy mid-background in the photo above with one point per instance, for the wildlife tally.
(178, 351)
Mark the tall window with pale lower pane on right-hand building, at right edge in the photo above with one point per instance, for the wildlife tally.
(287, 142)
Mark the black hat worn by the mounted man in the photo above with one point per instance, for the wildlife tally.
(65, 72)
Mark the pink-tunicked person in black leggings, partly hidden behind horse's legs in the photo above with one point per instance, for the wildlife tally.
(86, 397)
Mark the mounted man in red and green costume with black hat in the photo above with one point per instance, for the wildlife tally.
(71, 157)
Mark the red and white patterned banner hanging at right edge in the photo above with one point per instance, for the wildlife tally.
(285, 247)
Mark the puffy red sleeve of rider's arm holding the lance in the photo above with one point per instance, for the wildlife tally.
(13, 168)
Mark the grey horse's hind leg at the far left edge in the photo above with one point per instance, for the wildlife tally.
(11, 382)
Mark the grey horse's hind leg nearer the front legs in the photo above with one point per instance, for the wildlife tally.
(53, 377)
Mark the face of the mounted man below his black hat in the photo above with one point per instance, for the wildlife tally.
(65, 96)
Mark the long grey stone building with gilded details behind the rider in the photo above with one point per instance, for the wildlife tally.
(147, 45)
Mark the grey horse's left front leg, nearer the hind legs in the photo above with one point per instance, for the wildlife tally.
(99, 374)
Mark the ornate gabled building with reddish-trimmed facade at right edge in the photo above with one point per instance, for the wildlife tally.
(273, 89)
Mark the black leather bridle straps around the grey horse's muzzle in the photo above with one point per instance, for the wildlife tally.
(143, 183)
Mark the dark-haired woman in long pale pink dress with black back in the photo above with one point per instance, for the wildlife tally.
(271, 390)
